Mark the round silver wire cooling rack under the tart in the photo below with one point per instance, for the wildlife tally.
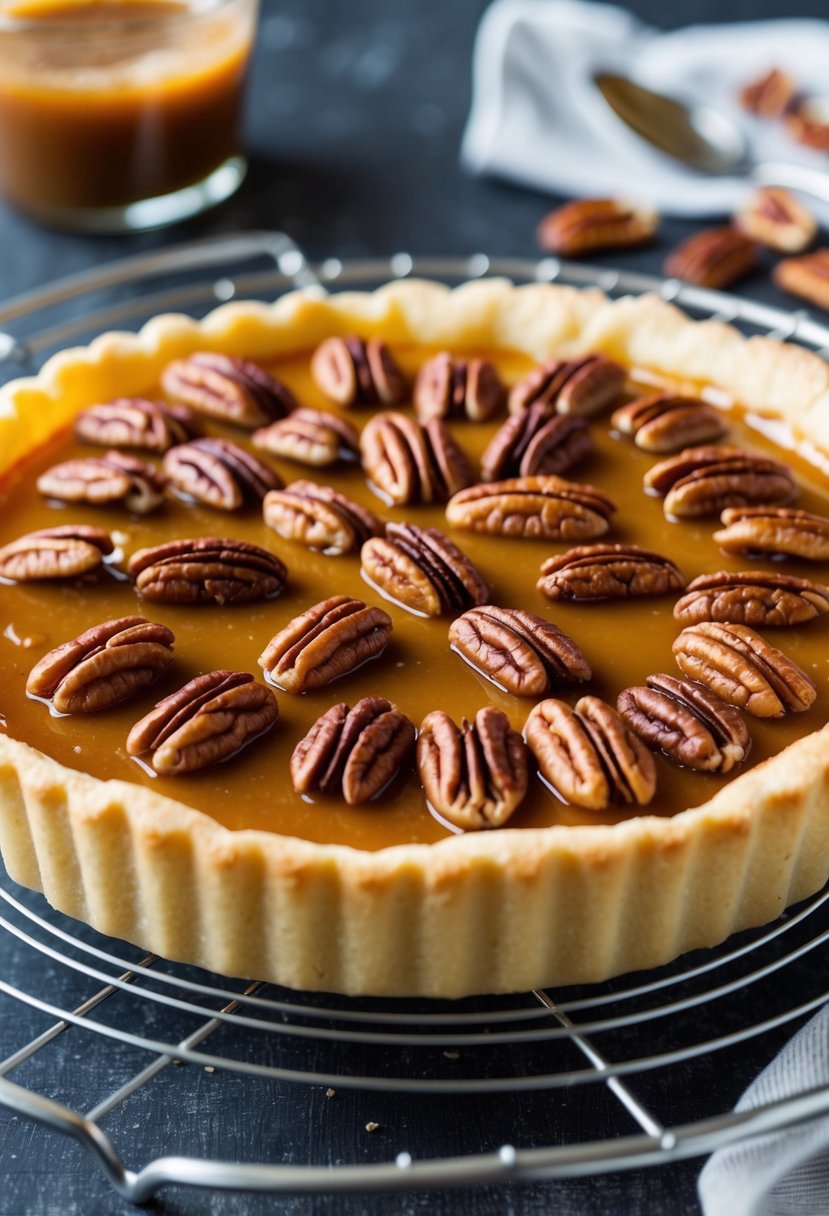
(161, 1023)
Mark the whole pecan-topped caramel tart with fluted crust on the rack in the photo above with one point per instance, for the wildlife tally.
(612, 639)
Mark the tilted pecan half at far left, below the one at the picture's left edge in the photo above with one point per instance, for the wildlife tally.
(103, 667)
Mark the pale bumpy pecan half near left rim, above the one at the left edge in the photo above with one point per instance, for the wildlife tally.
(99, 481)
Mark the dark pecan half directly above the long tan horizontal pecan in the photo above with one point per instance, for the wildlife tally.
(537, 442)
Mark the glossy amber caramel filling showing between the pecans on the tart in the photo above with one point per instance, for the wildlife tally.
(624, 643)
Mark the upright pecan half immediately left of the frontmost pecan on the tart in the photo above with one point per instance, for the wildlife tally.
(353, 752)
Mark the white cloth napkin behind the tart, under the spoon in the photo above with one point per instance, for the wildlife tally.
(538, 119)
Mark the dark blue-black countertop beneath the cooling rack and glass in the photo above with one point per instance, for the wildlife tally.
(356, 120)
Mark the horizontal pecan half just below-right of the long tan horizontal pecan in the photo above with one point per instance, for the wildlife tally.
(608, 572)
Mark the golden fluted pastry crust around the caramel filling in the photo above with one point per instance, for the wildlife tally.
(484, 913)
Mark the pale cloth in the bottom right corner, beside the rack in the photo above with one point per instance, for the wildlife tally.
(783, 1174)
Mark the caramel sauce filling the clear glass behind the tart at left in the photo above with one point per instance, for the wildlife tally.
(109, 103)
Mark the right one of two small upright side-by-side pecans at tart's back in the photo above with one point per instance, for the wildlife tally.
(458, 389)
